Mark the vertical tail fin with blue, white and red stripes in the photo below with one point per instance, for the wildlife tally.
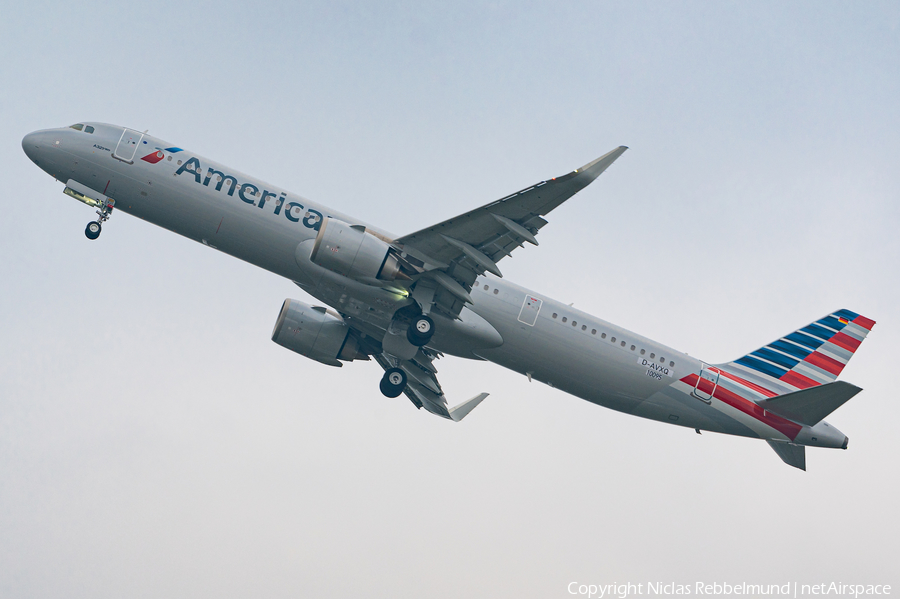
(809, 357)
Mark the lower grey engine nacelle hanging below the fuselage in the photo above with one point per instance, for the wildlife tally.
(316, 333)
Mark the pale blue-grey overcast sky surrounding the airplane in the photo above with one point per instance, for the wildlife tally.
(155, 443)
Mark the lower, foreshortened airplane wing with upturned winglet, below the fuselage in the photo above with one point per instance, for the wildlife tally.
(423, 388)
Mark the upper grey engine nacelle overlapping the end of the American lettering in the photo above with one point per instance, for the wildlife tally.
(352, 251)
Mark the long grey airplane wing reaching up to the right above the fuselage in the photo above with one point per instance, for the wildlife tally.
(453, 253)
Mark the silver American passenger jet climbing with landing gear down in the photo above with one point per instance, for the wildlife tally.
(406, 301)
